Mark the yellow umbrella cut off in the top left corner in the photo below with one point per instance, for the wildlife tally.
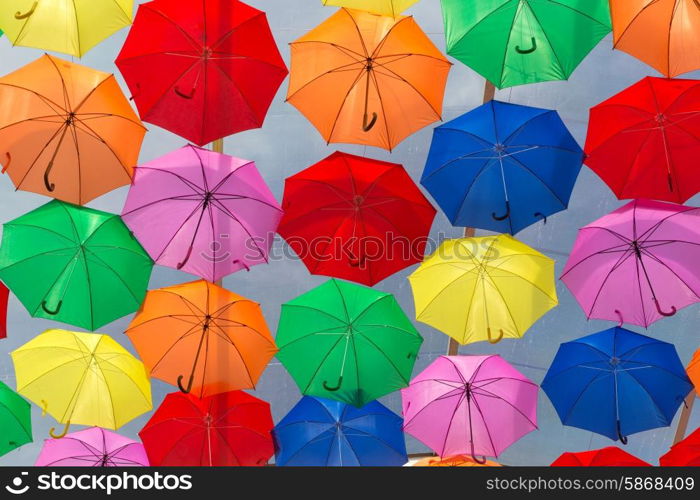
(68, 26)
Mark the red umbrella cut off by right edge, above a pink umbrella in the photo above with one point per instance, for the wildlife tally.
(643, 141)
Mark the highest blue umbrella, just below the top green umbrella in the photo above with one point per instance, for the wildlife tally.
(502, 167)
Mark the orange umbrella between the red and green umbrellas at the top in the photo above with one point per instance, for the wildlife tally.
(365, 79)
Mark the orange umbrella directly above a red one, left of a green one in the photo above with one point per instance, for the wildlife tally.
(202, 338)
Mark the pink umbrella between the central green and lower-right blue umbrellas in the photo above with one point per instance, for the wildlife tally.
(476, 405)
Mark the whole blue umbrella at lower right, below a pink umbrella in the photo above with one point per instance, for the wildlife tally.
(616, 383)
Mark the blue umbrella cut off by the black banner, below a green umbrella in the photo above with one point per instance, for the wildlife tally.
(322, 432)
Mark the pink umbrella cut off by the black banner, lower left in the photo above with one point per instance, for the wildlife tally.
(93, 447)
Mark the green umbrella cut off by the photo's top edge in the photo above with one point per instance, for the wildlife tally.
(513, 42)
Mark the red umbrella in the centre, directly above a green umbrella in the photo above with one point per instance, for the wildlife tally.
(355, 218)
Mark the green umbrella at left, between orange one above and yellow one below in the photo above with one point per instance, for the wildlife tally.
(74, 264)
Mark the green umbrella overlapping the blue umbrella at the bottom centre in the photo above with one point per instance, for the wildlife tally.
(347, 342)
